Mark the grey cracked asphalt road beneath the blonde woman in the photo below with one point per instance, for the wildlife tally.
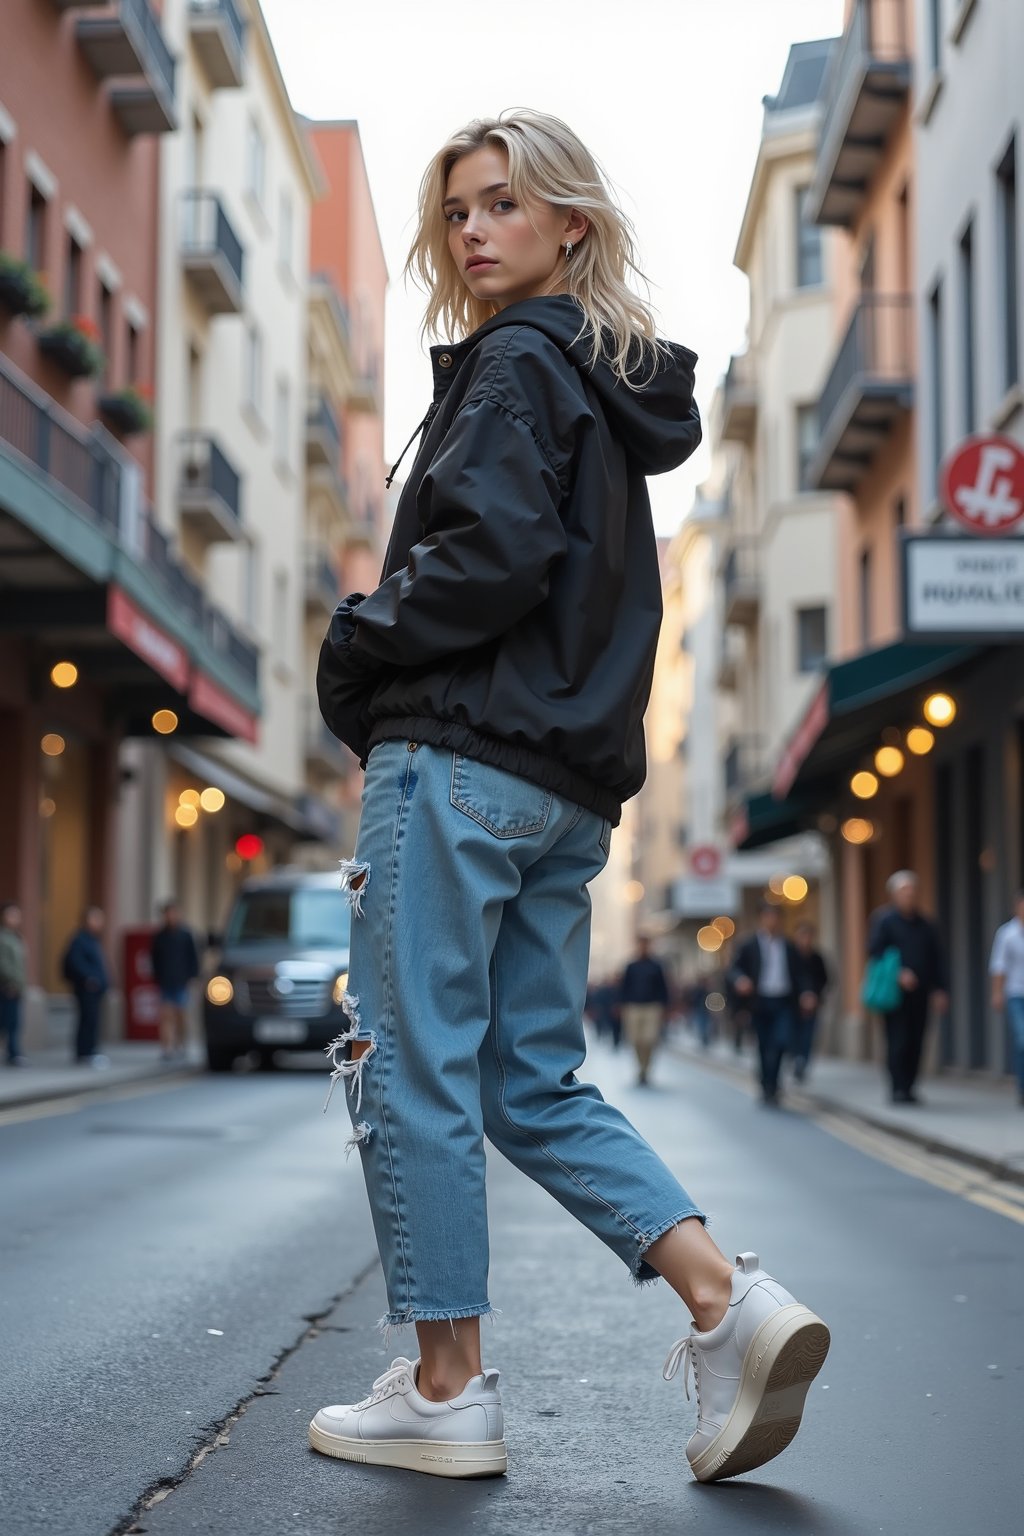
(187, 1276)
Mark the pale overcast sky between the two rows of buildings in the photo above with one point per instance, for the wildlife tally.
(666, 93)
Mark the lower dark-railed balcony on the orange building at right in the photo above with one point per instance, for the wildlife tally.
(868, 392)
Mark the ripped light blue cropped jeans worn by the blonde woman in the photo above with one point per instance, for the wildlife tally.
(469, 959)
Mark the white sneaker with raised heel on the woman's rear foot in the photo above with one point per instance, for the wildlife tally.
(751, 1374)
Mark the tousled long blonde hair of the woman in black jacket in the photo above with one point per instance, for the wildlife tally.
(549, 164)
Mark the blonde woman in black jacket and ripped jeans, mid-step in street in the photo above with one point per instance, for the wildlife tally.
(495, 687)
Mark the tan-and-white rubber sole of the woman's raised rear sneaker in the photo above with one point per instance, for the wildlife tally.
(784, 1359)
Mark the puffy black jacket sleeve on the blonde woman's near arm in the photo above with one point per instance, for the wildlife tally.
(492, 531)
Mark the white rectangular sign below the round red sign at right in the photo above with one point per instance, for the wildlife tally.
(965, 588)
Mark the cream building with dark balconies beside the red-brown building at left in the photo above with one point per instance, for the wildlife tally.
(236, 193)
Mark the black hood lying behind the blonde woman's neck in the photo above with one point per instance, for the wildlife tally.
(658, 423)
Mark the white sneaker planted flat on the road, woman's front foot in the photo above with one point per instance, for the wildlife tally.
(398, 1428)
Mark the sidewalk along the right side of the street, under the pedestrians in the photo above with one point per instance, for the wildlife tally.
(963, 1117)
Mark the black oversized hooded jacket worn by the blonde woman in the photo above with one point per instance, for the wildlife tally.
(520, 606)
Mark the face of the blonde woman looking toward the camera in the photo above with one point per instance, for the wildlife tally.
(504, 251)
